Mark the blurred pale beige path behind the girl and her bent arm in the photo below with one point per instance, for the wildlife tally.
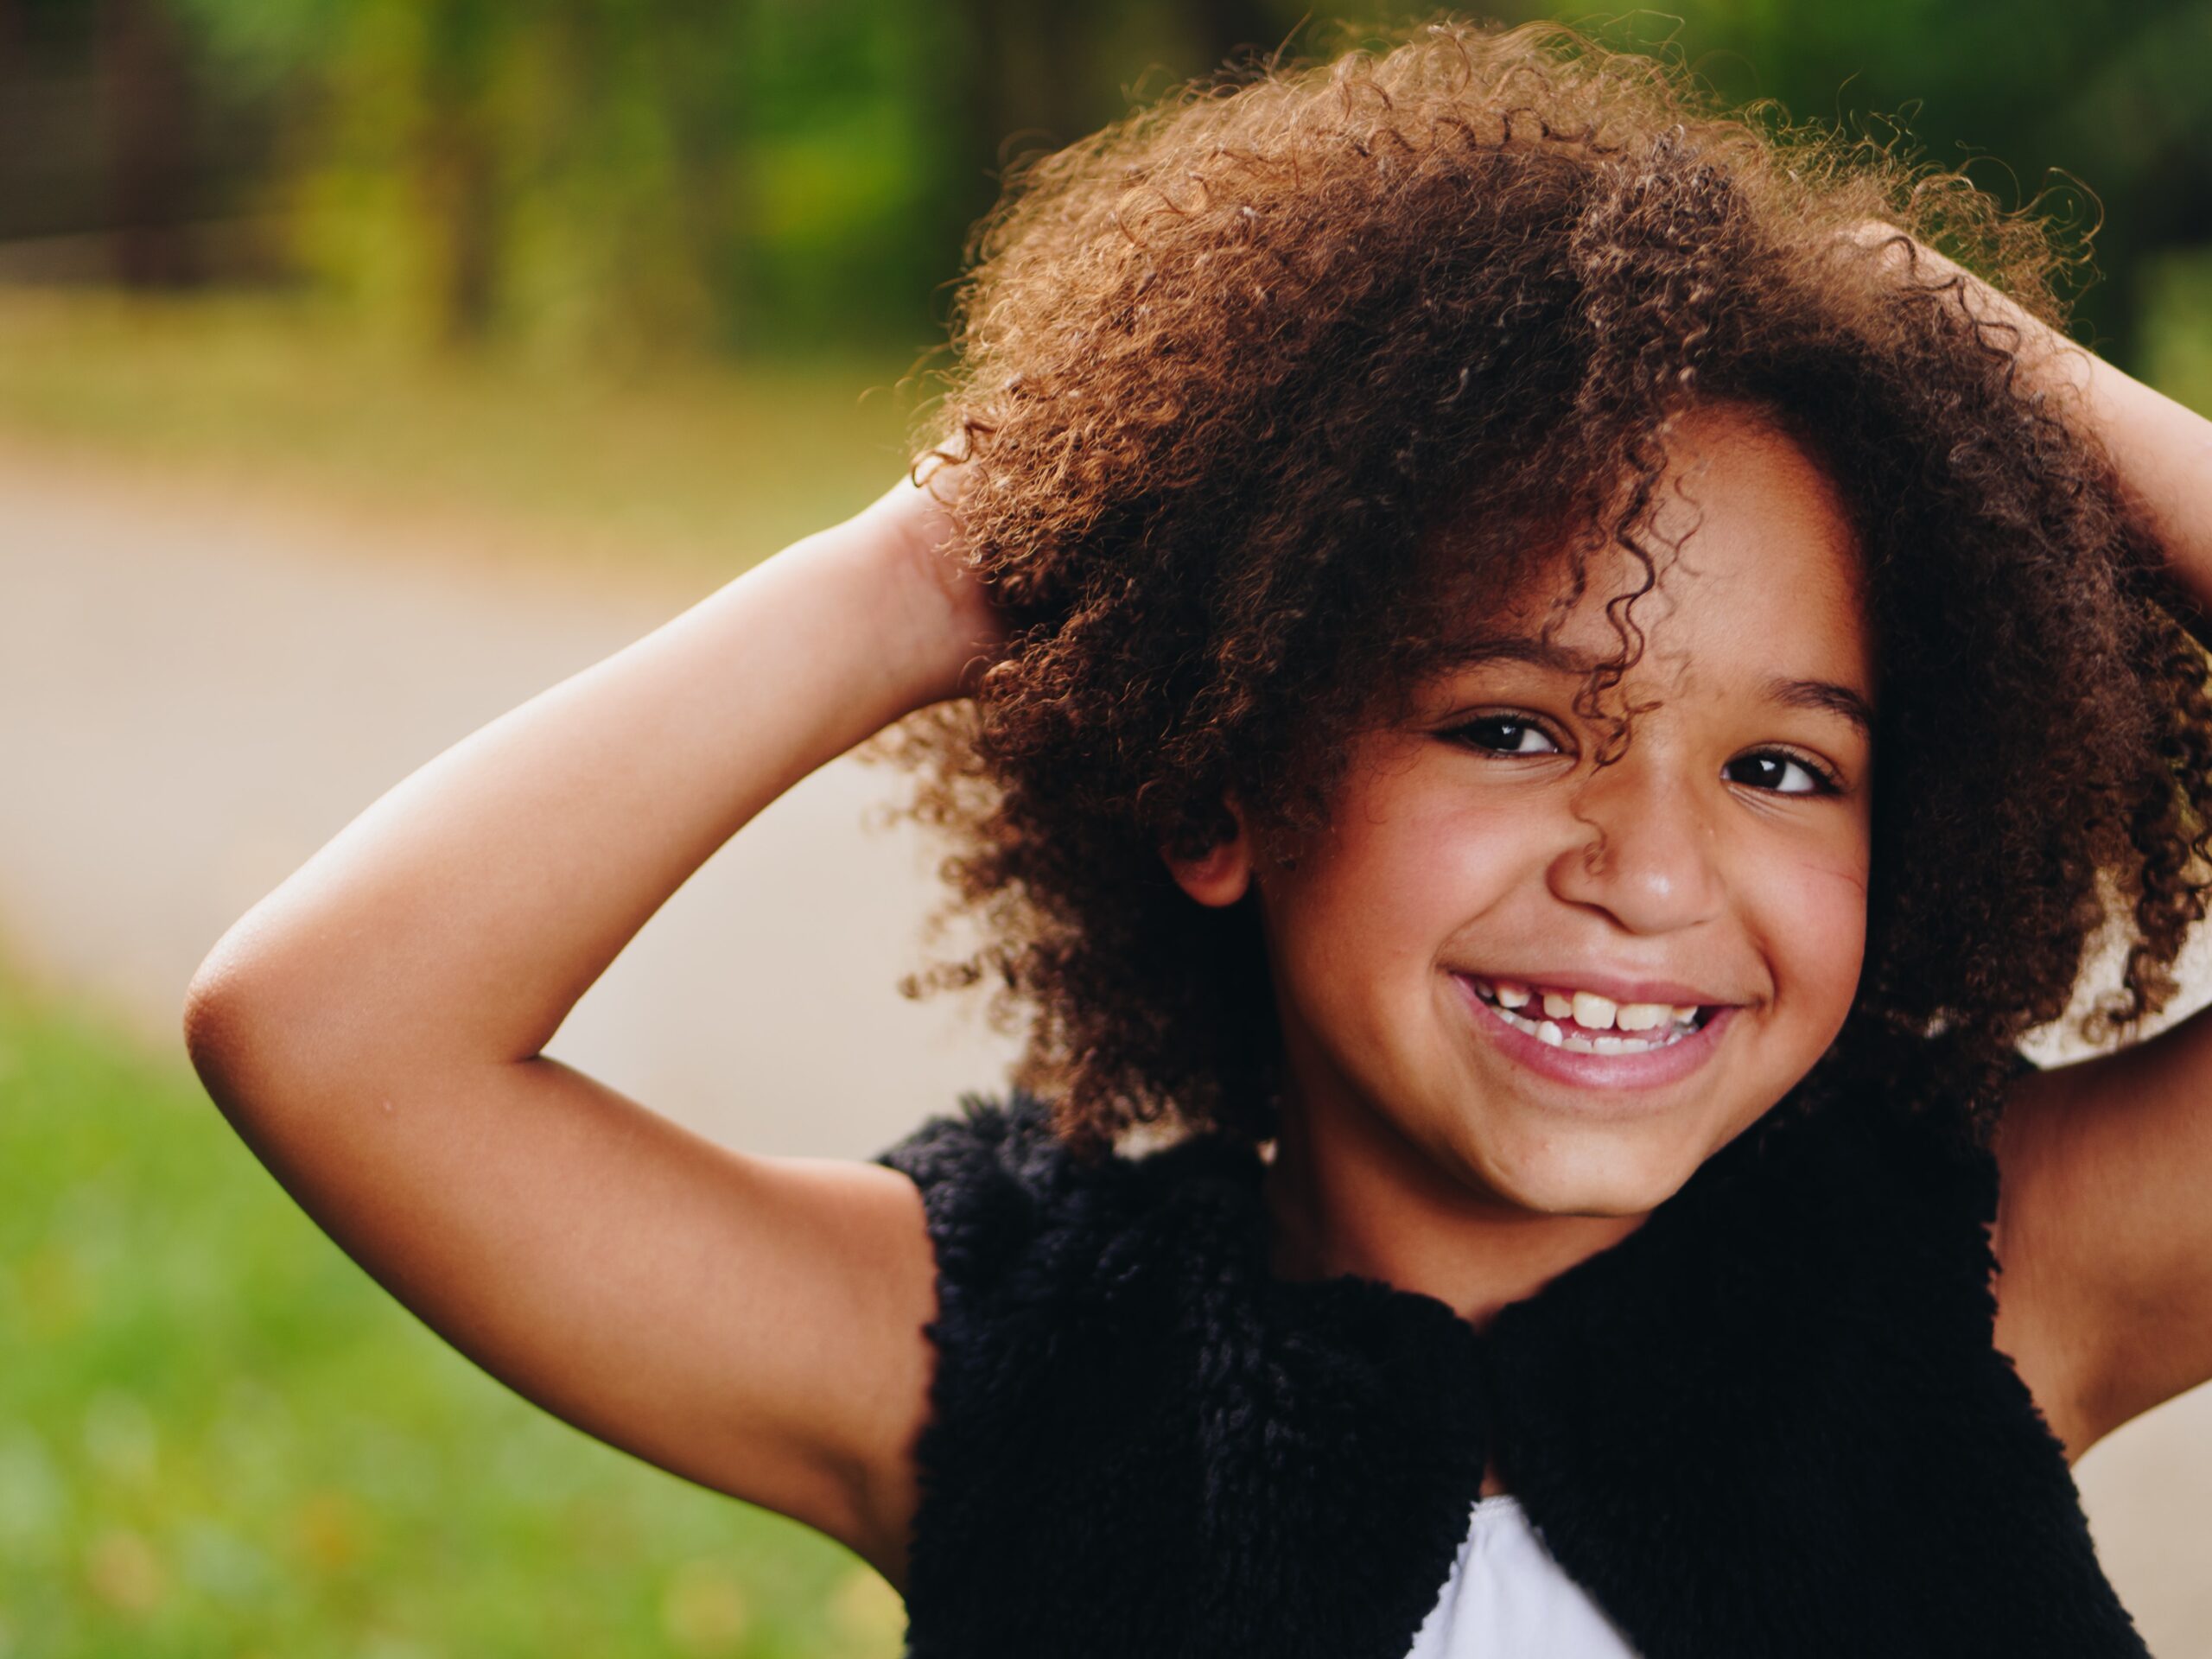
(196, 693)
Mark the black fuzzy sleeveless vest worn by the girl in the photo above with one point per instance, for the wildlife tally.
(1771, 1421)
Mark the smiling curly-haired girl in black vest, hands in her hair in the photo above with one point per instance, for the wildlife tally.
(1538, 691)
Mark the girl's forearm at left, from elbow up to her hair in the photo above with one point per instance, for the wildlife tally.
(472, 906)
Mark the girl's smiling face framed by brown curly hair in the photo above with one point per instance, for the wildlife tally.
(1477, 859)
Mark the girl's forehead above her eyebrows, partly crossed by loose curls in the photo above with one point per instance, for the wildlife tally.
(1755, 572)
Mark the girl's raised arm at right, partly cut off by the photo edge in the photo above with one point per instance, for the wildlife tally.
(2105, 1235)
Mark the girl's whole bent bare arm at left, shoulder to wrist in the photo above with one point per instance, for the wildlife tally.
(373, 1030)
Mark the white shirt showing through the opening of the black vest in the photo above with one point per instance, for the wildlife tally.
(1507, 1598)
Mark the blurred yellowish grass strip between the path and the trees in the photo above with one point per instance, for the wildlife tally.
(707, 468)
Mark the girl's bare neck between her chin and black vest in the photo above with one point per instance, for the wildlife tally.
(1350, 1196)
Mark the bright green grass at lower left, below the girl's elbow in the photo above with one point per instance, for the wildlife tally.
(218, 1437)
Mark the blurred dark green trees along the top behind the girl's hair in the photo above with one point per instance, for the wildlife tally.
(612, 178)
